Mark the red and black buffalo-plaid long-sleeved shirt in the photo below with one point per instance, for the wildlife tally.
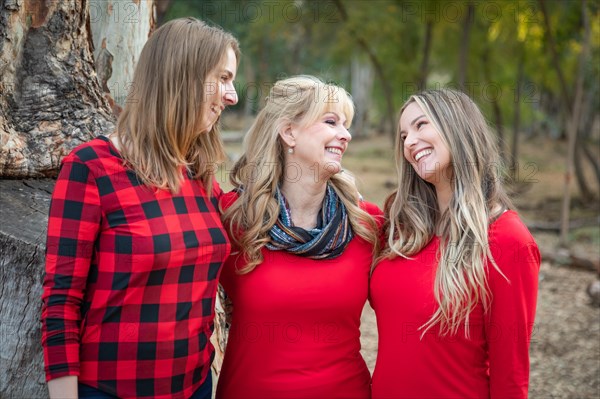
(131, 276)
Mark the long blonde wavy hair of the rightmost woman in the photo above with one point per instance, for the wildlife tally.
(413, 216)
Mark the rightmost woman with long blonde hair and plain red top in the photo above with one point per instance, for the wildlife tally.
(455, 289)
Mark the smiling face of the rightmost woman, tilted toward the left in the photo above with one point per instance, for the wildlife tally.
(424, 148)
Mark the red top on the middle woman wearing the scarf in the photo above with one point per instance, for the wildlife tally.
(295, 328)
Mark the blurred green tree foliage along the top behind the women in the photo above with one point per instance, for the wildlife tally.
(285, 37)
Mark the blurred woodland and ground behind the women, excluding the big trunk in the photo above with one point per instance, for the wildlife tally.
(534, 69)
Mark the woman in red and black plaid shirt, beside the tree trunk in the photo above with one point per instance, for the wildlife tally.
(135, 241)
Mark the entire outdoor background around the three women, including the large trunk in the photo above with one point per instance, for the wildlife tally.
(533, 66)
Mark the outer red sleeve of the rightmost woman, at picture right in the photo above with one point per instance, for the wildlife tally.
(510, 321)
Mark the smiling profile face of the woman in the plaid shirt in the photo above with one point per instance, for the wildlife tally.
(219, 91)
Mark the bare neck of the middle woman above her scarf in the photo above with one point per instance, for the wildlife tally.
(305, 201)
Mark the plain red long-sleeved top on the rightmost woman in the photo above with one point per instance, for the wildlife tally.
(494, 361)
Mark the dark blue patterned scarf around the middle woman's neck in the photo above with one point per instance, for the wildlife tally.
(326, 241)
